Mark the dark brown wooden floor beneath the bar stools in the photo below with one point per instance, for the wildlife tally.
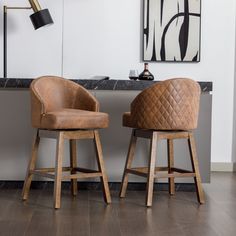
(88, 215)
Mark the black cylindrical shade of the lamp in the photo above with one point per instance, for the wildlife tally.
(41, 18)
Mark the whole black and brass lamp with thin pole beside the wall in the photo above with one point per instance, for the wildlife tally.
(40, 18)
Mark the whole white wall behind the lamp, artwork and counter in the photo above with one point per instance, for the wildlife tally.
(102, 37)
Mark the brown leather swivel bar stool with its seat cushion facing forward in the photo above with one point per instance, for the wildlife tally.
(61, 110)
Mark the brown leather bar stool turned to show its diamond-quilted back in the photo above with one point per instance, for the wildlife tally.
(166, 110)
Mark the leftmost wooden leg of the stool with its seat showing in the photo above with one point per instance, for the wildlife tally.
(31, 166)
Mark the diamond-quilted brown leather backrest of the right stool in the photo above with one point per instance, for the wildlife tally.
(168, 105)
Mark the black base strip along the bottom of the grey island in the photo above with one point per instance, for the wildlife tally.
(115, 186)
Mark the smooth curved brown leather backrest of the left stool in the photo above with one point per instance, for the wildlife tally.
(51, 93)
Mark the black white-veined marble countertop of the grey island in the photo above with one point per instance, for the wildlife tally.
(92, 84)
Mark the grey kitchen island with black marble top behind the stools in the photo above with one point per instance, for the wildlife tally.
(115, 97)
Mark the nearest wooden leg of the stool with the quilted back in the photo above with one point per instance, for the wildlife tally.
(151, 169)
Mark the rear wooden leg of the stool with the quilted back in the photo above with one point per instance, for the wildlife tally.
(170, 144)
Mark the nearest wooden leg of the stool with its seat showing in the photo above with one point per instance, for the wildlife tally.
(58, 171)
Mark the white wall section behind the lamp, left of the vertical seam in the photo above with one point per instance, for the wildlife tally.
(32, 53)
